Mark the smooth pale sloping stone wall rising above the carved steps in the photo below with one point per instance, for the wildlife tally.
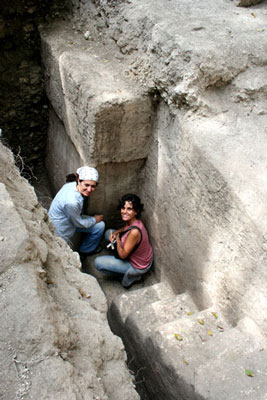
(214, 224)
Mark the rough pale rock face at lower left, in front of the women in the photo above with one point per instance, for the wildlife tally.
(55, 339)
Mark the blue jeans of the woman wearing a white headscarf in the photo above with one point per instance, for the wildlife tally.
(91, 237)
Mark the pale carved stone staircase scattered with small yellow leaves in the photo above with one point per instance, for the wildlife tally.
(186, 353)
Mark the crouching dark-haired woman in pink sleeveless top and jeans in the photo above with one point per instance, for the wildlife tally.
(134, 251)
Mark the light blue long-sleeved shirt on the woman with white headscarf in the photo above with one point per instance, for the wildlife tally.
(66, 211)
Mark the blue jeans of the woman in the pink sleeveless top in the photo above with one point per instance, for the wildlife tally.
(113, 266)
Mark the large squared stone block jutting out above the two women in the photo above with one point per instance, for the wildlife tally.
(99, 106)
